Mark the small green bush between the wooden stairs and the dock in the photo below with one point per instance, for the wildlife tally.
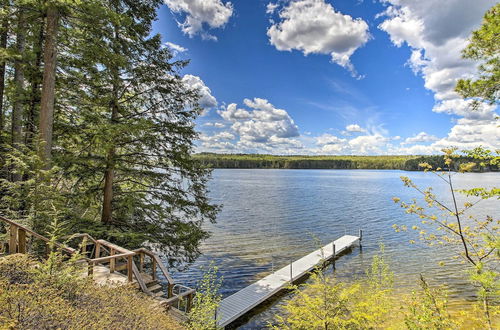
(203, 314)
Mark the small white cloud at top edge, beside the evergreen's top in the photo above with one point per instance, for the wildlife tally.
(213, 13)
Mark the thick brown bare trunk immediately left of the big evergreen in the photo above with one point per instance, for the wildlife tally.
(48, 85)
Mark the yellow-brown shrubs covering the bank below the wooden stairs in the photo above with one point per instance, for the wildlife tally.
(31, 301)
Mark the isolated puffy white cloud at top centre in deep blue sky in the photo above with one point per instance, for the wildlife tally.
(314, 27)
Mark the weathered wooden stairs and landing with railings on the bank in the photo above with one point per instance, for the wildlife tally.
(110, 264)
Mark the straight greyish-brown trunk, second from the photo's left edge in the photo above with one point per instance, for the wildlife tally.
(17, 107)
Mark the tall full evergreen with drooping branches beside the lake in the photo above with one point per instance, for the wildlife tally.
(135, 129)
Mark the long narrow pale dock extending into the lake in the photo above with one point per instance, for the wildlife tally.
(243, 301)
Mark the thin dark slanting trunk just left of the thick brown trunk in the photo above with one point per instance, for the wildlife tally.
(36, 79)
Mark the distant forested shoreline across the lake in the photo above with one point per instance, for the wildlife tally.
(408, 163)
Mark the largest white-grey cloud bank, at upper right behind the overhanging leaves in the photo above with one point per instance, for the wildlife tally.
(437, 32)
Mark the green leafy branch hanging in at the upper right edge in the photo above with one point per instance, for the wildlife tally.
(484, 47)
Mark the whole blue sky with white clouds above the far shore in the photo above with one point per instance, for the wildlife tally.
(329, 77)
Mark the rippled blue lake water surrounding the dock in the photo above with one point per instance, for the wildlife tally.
(271, 217)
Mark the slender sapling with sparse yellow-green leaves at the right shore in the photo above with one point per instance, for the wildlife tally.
(444, 225)
